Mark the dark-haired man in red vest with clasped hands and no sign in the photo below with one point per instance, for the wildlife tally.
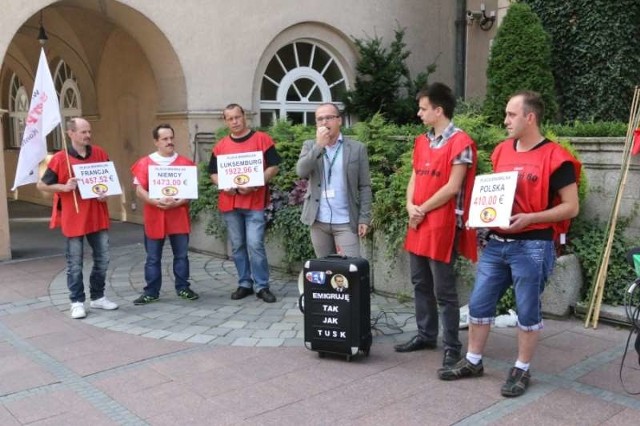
(438, 197)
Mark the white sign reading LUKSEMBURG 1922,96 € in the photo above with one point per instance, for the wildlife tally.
(240, 170)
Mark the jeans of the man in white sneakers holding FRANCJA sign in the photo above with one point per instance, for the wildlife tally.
(99, 242)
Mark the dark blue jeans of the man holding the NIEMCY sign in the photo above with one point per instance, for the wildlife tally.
(153, 264)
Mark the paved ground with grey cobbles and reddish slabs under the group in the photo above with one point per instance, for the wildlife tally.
(220, 361)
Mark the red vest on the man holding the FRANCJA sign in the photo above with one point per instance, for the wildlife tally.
(92, 215)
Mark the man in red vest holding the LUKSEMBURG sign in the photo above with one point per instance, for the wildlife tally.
(243, 207)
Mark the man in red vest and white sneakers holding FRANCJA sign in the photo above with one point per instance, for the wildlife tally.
(90, 220)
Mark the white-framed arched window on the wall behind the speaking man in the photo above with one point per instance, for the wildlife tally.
(299, 77)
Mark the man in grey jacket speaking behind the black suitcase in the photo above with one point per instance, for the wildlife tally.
(337, 204)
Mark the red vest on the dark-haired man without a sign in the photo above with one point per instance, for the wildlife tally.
(435, 236)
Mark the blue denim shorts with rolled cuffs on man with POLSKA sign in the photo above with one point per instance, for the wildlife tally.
(525, 264)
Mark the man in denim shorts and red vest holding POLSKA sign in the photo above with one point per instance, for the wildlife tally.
(523, 254)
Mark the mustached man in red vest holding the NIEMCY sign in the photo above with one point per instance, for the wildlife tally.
(163, 217)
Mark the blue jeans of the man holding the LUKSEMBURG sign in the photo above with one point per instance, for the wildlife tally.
(245, 229)
